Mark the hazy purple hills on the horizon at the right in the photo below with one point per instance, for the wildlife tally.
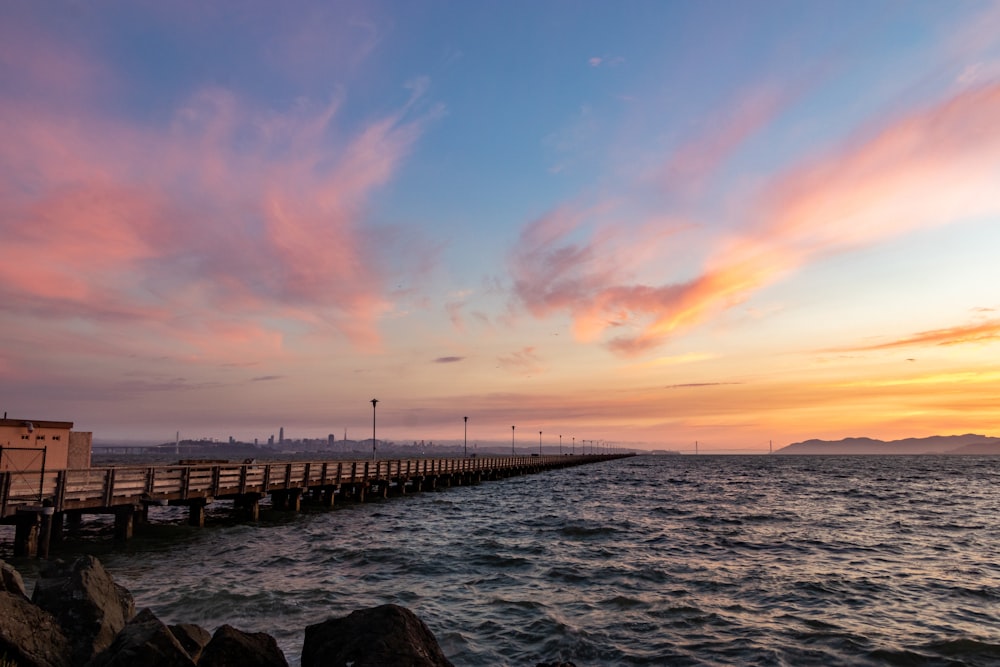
(970, 443)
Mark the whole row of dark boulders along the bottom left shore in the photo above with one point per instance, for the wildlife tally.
(78, 616)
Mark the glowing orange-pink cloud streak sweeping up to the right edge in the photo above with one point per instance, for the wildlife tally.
(933, 166)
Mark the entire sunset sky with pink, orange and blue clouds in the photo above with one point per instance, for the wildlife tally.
(644, 223)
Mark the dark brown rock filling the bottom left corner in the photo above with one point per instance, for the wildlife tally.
(29, 636)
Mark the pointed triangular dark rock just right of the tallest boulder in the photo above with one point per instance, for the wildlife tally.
(145, 641)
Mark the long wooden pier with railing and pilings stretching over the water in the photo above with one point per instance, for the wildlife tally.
(41, 504)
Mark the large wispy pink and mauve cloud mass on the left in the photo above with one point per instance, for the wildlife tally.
(229, 214)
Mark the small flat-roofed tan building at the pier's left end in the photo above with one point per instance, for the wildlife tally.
(32, 444)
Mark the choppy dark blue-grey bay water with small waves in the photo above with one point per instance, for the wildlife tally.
(669, 560)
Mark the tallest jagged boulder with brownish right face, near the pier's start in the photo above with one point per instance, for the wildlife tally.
(91, 608)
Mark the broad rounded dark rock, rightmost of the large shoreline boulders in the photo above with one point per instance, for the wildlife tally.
(384, 635)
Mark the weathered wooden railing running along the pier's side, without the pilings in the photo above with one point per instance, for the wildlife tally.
(105, 488)
